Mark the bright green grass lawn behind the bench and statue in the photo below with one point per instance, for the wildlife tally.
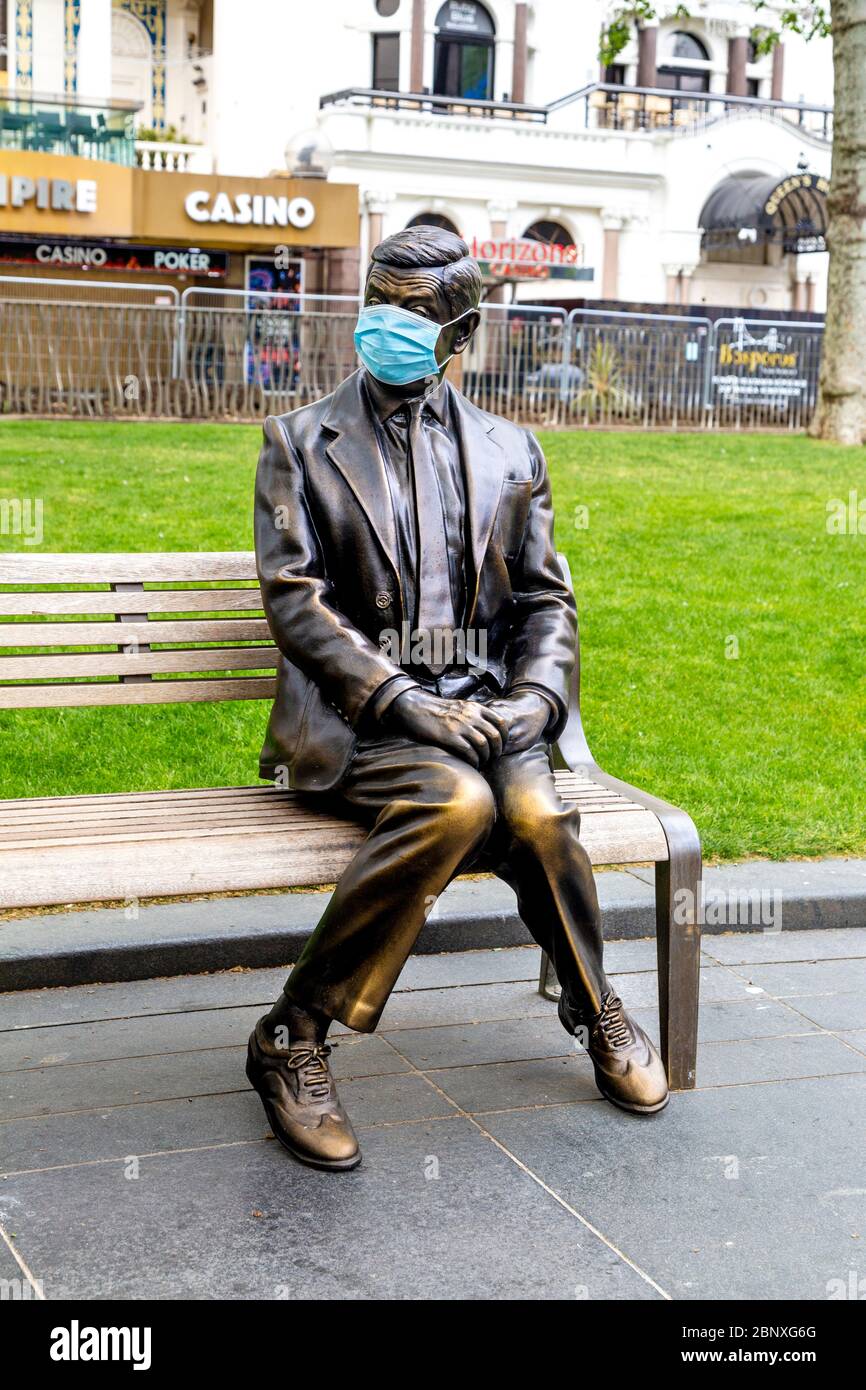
(724, 628)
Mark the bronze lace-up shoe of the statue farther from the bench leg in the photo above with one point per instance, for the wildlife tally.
(302, 1104)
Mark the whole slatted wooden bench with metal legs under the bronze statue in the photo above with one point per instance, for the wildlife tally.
(151, 619)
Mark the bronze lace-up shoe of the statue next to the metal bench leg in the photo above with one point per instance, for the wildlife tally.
(629, 1071)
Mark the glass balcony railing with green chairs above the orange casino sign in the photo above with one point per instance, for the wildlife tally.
(55, 126)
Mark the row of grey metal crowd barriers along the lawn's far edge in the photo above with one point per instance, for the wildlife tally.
(244, 355)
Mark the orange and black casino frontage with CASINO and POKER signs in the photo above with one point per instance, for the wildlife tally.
(72, 218)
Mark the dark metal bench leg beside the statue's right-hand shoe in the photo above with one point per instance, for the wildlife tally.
(679, 953)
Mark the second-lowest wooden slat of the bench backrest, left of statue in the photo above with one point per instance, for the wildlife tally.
(137, 664)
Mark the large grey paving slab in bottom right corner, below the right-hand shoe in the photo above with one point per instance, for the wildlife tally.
(725, 1195)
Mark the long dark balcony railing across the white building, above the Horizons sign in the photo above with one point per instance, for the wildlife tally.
(603, 106)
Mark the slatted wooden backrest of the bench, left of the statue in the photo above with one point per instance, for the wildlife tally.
(133, 630)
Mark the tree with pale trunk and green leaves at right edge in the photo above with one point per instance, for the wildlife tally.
(842, 407)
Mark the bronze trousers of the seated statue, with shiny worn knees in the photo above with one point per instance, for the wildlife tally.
(432, 817)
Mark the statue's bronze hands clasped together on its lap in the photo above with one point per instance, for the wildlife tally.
(475, 732)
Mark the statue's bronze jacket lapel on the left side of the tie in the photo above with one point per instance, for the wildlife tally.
(357, 454)
